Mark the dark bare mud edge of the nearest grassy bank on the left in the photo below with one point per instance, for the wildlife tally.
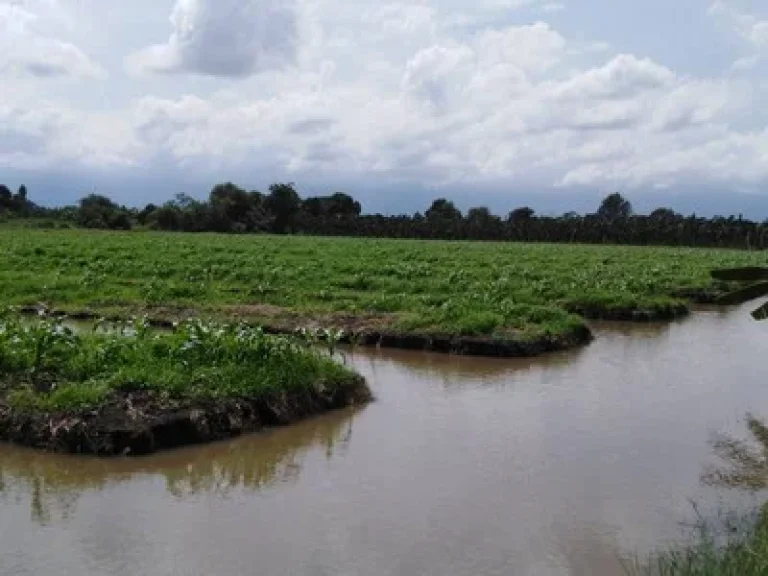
(134, 423)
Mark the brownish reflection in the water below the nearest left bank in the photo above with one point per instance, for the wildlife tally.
(53, 483)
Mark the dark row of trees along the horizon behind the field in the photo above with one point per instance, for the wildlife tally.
(231, 209)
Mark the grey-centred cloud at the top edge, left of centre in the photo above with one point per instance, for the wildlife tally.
(234, 38)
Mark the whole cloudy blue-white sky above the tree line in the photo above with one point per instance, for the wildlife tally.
(494, 102)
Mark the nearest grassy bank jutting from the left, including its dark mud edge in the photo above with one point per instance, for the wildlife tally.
(136, 390)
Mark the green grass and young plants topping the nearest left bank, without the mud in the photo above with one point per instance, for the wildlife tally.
(47, 367)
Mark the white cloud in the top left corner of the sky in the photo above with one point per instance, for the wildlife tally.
(25, 50)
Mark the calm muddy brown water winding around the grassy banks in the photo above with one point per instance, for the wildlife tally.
(463, 466)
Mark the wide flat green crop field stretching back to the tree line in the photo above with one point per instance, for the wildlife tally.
(525, 291)
